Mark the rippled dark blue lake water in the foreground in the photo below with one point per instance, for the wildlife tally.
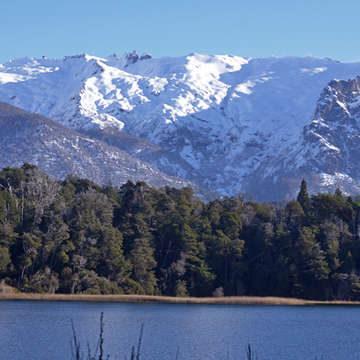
(42, 330)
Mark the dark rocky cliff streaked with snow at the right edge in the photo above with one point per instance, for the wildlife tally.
(331, 145)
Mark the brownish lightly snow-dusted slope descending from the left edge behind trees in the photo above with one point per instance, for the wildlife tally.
(59, 151)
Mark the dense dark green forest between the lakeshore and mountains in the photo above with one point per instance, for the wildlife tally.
(74, 236)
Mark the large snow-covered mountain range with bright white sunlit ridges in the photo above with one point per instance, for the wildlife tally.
(225, 122)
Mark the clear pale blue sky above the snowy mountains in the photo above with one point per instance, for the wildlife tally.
(255, 28)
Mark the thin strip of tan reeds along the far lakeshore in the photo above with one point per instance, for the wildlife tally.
(147, 299)
